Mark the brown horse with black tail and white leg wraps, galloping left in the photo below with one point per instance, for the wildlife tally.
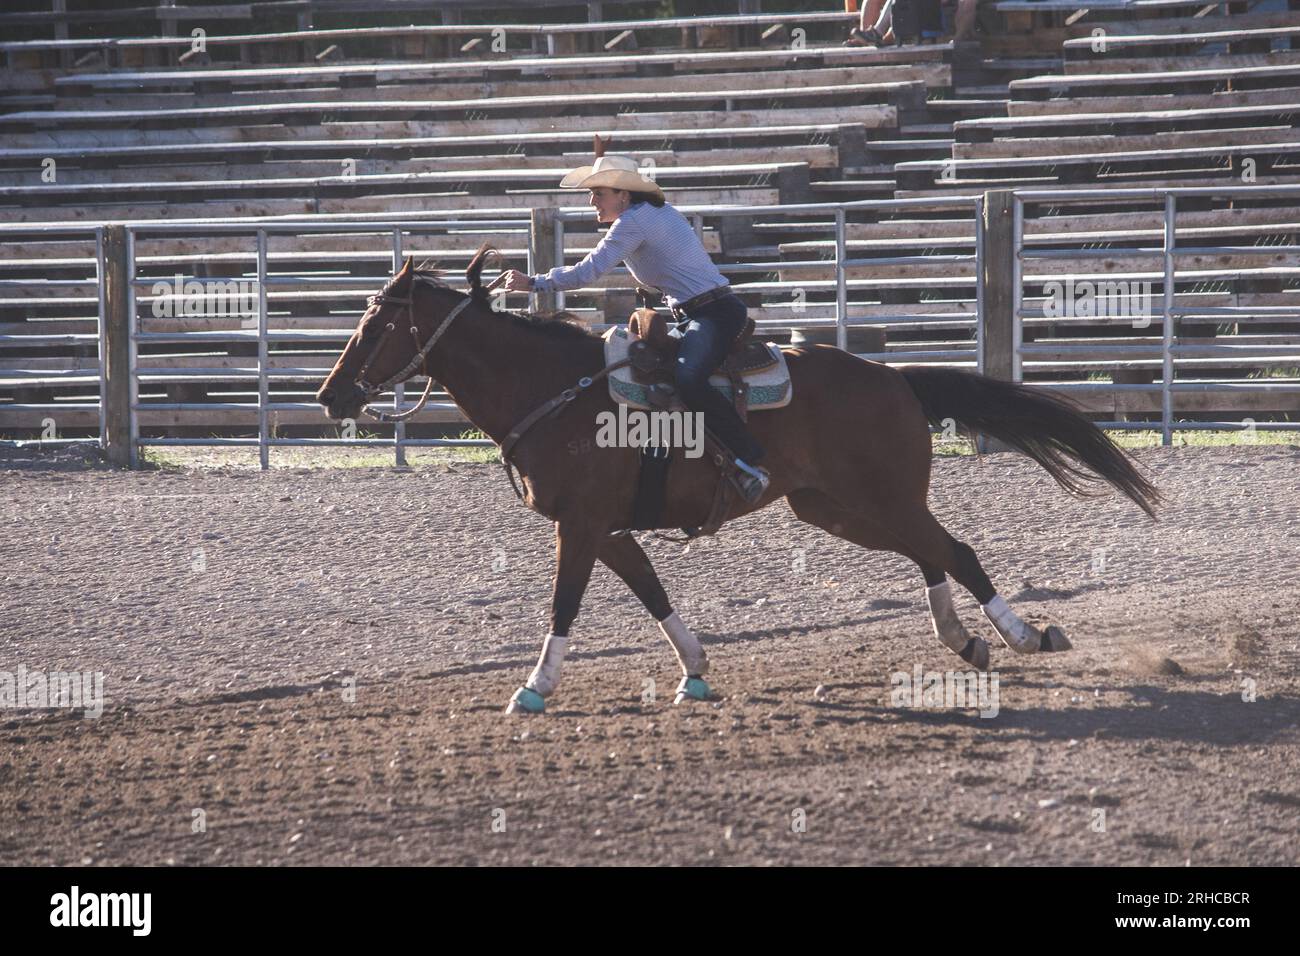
(851, 453)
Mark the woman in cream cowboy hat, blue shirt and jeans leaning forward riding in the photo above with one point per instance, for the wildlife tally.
(662, 252)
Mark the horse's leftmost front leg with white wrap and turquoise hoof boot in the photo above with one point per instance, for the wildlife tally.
(577, 547)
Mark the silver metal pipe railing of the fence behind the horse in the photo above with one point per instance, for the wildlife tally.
(838, 314)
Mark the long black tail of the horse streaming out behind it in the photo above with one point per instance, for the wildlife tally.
(1046, 427)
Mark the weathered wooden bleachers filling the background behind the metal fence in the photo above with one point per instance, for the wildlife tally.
(435, 124)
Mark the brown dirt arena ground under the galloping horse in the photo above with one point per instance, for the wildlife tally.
(310, 667)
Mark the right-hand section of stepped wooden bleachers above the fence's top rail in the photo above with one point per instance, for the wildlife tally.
(1215, 114)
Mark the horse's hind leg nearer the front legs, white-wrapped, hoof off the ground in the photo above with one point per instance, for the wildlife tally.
(818, 509)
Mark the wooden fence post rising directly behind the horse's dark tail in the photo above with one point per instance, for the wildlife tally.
(998, 293)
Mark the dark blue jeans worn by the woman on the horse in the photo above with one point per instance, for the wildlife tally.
(708, 338)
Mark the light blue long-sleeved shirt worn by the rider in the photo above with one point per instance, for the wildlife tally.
(661, 250)
